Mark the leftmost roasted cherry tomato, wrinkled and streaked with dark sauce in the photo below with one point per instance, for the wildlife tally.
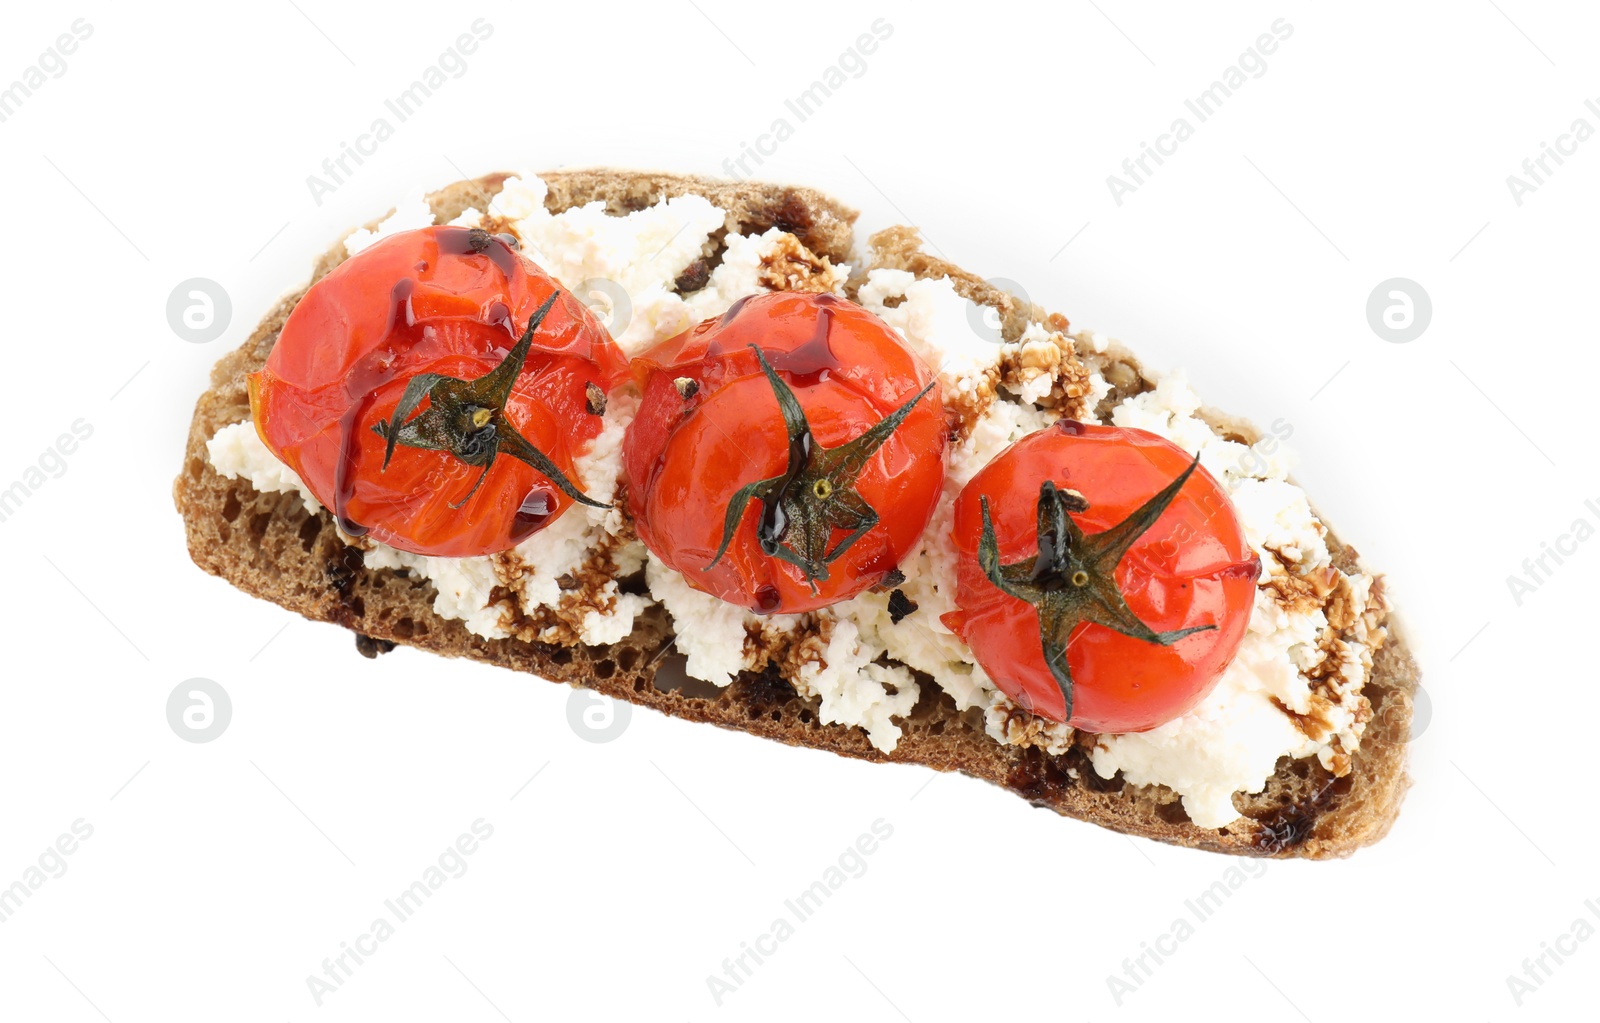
(434, 391)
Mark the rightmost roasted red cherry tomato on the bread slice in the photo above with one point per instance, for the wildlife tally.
(1103, 577)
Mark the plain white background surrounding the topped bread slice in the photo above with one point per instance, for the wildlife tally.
(1377, 145)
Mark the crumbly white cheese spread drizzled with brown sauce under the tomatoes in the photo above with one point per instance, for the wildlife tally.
(1292, 691)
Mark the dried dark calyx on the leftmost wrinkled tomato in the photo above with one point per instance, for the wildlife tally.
(468, 419)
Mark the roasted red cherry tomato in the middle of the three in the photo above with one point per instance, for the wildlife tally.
(788, 454)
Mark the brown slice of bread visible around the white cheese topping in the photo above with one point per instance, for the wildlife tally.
(271, 547)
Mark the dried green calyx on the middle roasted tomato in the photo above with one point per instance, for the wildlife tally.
(817, 494)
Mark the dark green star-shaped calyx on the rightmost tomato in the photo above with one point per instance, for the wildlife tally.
(1074, 577)
